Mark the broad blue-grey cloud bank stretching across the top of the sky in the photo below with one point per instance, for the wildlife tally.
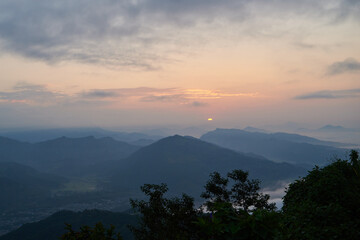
(140, 35)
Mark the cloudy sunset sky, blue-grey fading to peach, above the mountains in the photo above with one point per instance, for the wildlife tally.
(179, 62)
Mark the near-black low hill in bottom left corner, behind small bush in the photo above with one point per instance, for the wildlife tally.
(52, 227)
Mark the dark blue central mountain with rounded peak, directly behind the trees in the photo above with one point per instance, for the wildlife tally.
(184, 163)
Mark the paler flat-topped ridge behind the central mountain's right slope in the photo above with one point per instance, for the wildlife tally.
(280, 147)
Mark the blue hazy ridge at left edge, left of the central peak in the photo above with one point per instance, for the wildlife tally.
(66, 156)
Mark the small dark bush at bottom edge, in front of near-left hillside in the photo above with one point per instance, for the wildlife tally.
(99, 232)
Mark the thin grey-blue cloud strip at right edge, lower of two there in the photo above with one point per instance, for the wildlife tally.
(330, 94)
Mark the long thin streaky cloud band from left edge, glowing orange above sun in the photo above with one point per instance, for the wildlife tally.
(41, 95)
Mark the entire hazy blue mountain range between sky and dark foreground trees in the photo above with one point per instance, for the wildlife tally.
(54, 173)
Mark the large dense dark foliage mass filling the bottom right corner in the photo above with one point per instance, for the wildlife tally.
(325, 203)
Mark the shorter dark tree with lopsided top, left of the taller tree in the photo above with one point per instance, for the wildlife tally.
(162, 218)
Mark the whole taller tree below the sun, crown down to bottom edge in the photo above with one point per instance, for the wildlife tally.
(240, 212)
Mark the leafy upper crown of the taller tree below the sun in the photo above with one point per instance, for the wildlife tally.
(244, 193)
